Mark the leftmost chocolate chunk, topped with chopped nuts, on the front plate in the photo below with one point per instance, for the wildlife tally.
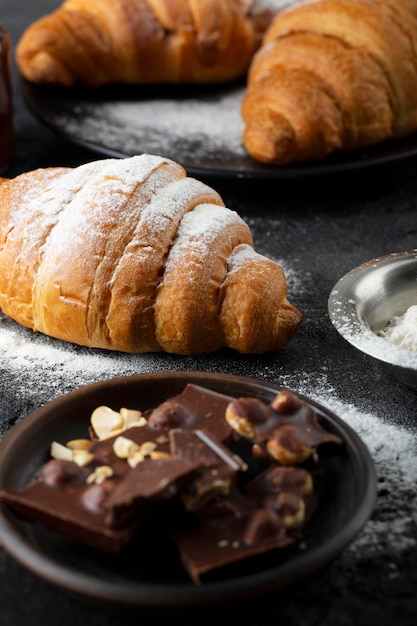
(104, 512)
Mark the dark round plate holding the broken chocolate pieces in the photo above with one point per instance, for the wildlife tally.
(153, 578)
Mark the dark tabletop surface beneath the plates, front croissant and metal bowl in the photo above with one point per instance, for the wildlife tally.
(321, 228)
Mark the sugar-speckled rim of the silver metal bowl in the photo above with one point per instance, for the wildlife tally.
(343, 310)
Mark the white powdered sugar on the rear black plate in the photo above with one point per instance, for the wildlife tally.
(206, 123)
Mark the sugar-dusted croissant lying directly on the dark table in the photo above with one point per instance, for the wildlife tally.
(133, 255)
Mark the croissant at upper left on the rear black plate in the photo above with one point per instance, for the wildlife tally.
(94, 42)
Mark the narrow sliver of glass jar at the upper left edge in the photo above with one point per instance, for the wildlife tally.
(6, 115)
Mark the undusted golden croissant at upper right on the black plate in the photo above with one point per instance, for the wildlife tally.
(332, 75)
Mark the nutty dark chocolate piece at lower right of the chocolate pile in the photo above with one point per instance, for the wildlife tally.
(269, 513)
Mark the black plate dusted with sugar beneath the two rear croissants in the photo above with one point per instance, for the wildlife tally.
(199, 127)
